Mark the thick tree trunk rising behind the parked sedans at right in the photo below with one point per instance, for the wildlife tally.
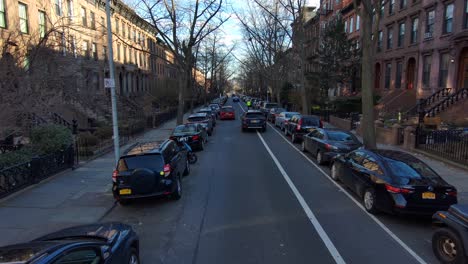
(367, 81)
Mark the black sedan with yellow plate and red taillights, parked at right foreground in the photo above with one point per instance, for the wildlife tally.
(393, 182)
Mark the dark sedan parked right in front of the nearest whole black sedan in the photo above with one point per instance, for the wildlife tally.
(326, 143)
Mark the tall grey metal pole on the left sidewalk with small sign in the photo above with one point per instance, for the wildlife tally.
(115, 124)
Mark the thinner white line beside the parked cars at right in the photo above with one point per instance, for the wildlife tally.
(376, 220)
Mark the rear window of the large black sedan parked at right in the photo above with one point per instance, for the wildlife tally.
(410, 169)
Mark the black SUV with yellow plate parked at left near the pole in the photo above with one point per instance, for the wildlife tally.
(150, 169)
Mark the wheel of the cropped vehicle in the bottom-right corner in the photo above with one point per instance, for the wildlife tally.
(447, 246)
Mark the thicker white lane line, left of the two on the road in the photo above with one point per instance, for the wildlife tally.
(318, 227)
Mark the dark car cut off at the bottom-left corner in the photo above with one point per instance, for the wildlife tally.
(103, 243)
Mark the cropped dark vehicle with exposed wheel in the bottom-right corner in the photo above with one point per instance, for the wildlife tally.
(450, 239)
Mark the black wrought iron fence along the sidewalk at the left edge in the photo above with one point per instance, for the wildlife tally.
(22, 175)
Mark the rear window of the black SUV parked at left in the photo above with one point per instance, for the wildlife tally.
(152, 162)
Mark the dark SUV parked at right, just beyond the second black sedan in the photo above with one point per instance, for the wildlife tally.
(299, 125)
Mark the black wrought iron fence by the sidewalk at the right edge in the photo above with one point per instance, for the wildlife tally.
(449, 144)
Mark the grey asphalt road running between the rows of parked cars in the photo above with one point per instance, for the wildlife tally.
(254, 198)
